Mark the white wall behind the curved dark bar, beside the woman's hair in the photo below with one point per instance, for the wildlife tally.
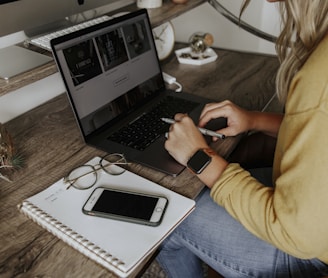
(205, 18)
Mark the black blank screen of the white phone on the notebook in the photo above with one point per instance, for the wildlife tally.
(126, 204)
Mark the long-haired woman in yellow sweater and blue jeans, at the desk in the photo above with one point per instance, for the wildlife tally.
(243, 227)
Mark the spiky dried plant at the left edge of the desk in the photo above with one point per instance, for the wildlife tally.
(9, 160)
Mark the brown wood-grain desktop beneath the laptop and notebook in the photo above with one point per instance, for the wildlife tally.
(48, 138)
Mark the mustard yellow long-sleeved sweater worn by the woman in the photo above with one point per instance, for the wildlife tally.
(294, 215)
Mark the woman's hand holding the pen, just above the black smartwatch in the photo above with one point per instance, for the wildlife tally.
(184, 139)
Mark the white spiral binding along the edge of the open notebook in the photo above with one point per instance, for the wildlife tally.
(78, 242)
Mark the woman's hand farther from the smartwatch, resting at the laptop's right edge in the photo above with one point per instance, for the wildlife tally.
(238, 120)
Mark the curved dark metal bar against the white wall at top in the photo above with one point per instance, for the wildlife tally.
(242, 24)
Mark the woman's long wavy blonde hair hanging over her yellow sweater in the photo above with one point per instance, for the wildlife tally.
(304, 25)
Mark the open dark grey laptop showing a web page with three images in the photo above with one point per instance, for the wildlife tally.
(114, 83)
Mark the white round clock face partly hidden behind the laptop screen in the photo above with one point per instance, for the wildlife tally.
(164, 39)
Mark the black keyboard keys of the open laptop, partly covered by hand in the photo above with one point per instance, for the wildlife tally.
(140, 133)
